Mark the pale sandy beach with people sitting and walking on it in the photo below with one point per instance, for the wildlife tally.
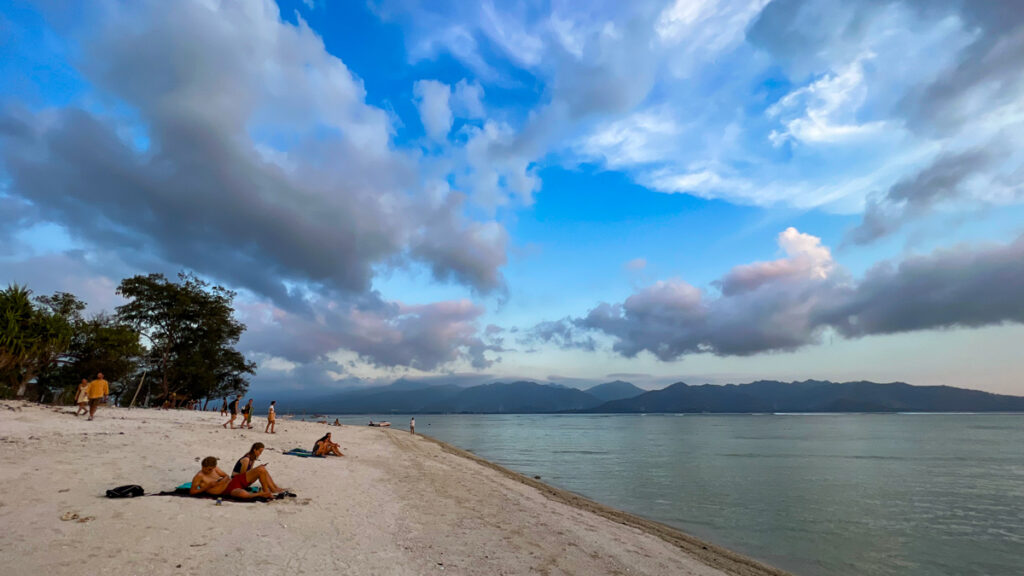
(396, 505)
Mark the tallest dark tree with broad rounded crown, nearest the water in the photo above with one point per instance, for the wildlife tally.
(192, 332)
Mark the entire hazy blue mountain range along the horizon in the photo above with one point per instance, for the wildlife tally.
(764, 396)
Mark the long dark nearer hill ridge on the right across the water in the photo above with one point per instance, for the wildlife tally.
(814, 396)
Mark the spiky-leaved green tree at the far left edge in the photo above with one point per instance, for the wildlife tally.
(34, 338)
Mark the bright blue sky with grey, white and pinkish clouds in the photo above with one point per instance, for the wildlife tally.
(706, 191)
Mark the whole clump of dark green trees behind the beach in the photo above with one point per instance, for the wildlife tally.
(169, 342)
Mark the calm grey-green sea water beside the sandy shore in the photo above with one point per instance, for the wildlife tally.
(895, 495)
